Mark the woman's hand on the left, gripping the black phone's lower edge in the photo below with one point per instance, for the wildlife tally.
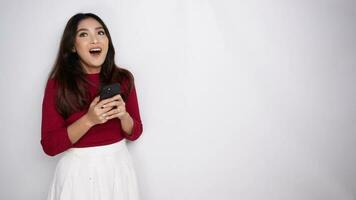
(96, 114)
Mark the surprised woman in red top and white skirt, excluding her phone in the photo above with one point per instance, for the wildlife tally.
(90, 133)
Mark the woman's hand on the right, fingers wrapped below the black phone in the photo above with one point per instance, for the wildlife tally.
(118, 105)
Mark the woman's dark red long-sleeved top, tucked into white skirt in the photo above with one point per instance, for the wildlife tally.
(54, 135)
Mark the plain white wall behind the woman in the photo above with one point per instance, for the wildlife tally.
(239, 99)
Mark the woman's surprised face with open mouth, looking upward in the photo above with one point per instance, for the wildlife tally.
(91, 45)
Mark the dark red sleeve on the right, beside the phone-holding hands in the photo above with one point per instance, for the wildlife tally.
(133, 109)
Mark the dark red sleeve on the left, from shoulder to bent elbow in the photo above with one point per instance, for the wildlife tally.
(54, 135)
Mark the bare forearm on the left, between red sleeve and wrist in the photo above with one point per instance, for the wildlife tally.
(79, 128)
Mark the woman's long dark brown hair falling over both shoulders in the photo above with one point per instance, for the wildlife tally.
(70, 77)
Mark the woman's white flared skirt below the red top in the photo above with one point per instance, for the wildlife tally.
(95, 173)
